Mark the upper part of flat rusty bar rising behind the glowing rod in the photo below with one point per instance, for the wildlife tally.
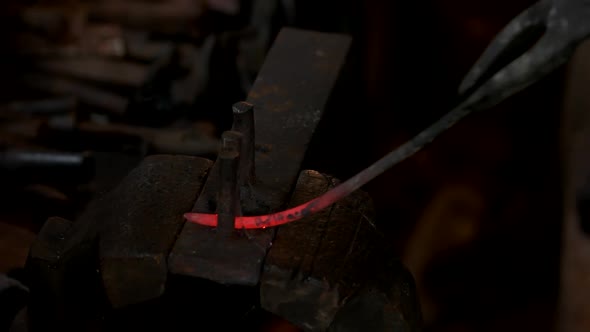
(289, 97)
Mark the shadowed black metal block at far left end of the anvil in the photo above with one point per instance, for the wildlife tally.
(65, 288)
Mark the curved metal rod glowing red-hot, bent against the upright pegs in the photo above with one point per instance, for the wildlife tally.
(345, 188)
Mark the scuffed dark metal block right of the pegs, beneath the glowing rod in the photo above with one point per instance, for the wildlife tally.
(316, 263)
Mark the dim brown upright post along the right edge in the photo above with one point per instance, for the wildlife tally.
(574, 311)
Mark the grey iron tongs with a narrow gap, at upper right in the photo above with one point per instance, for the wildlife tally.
(562, 25)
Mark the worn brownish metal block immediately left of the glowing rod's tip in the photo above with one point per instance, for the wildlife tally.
(147, 216)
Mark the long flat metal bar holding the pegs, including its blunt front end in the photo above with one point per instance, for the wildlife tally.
(289, 97)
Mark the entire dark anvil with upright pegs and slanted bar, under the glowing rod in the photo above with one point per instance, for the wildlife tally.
(131, 261)
